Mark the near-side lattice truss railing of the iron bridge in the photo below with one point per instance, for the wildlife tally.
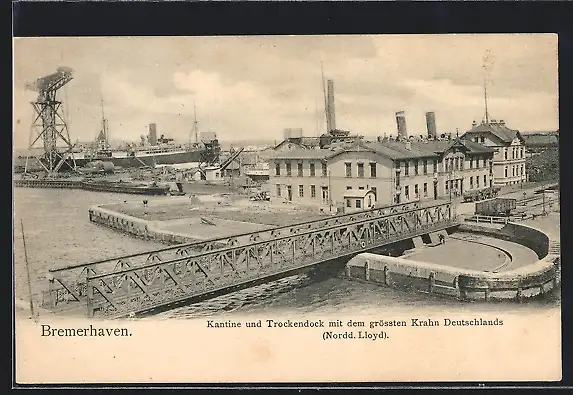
(137, 289)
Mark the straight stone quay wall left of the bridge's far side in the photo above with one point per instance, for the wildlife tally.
(135, 226)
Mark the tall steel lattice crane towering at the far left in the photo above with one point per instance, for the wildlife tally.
(49, 126)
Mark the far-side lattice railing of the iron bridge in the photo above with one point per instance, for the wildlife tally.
(69, 283)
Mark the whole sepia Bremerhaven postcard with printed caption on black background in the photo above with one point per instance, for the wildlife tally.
(357, 208)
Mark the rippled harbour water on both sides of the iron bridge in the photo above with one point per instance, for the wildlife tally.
(58, 232)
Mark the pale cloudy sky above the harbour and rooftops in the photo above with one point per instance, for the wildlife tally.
(253, 87)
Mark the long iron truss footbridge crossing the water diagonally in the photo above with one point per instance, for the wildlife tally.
(169, 276)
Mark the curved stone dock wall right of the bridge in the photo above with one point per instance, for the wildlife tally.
(528, 281)
